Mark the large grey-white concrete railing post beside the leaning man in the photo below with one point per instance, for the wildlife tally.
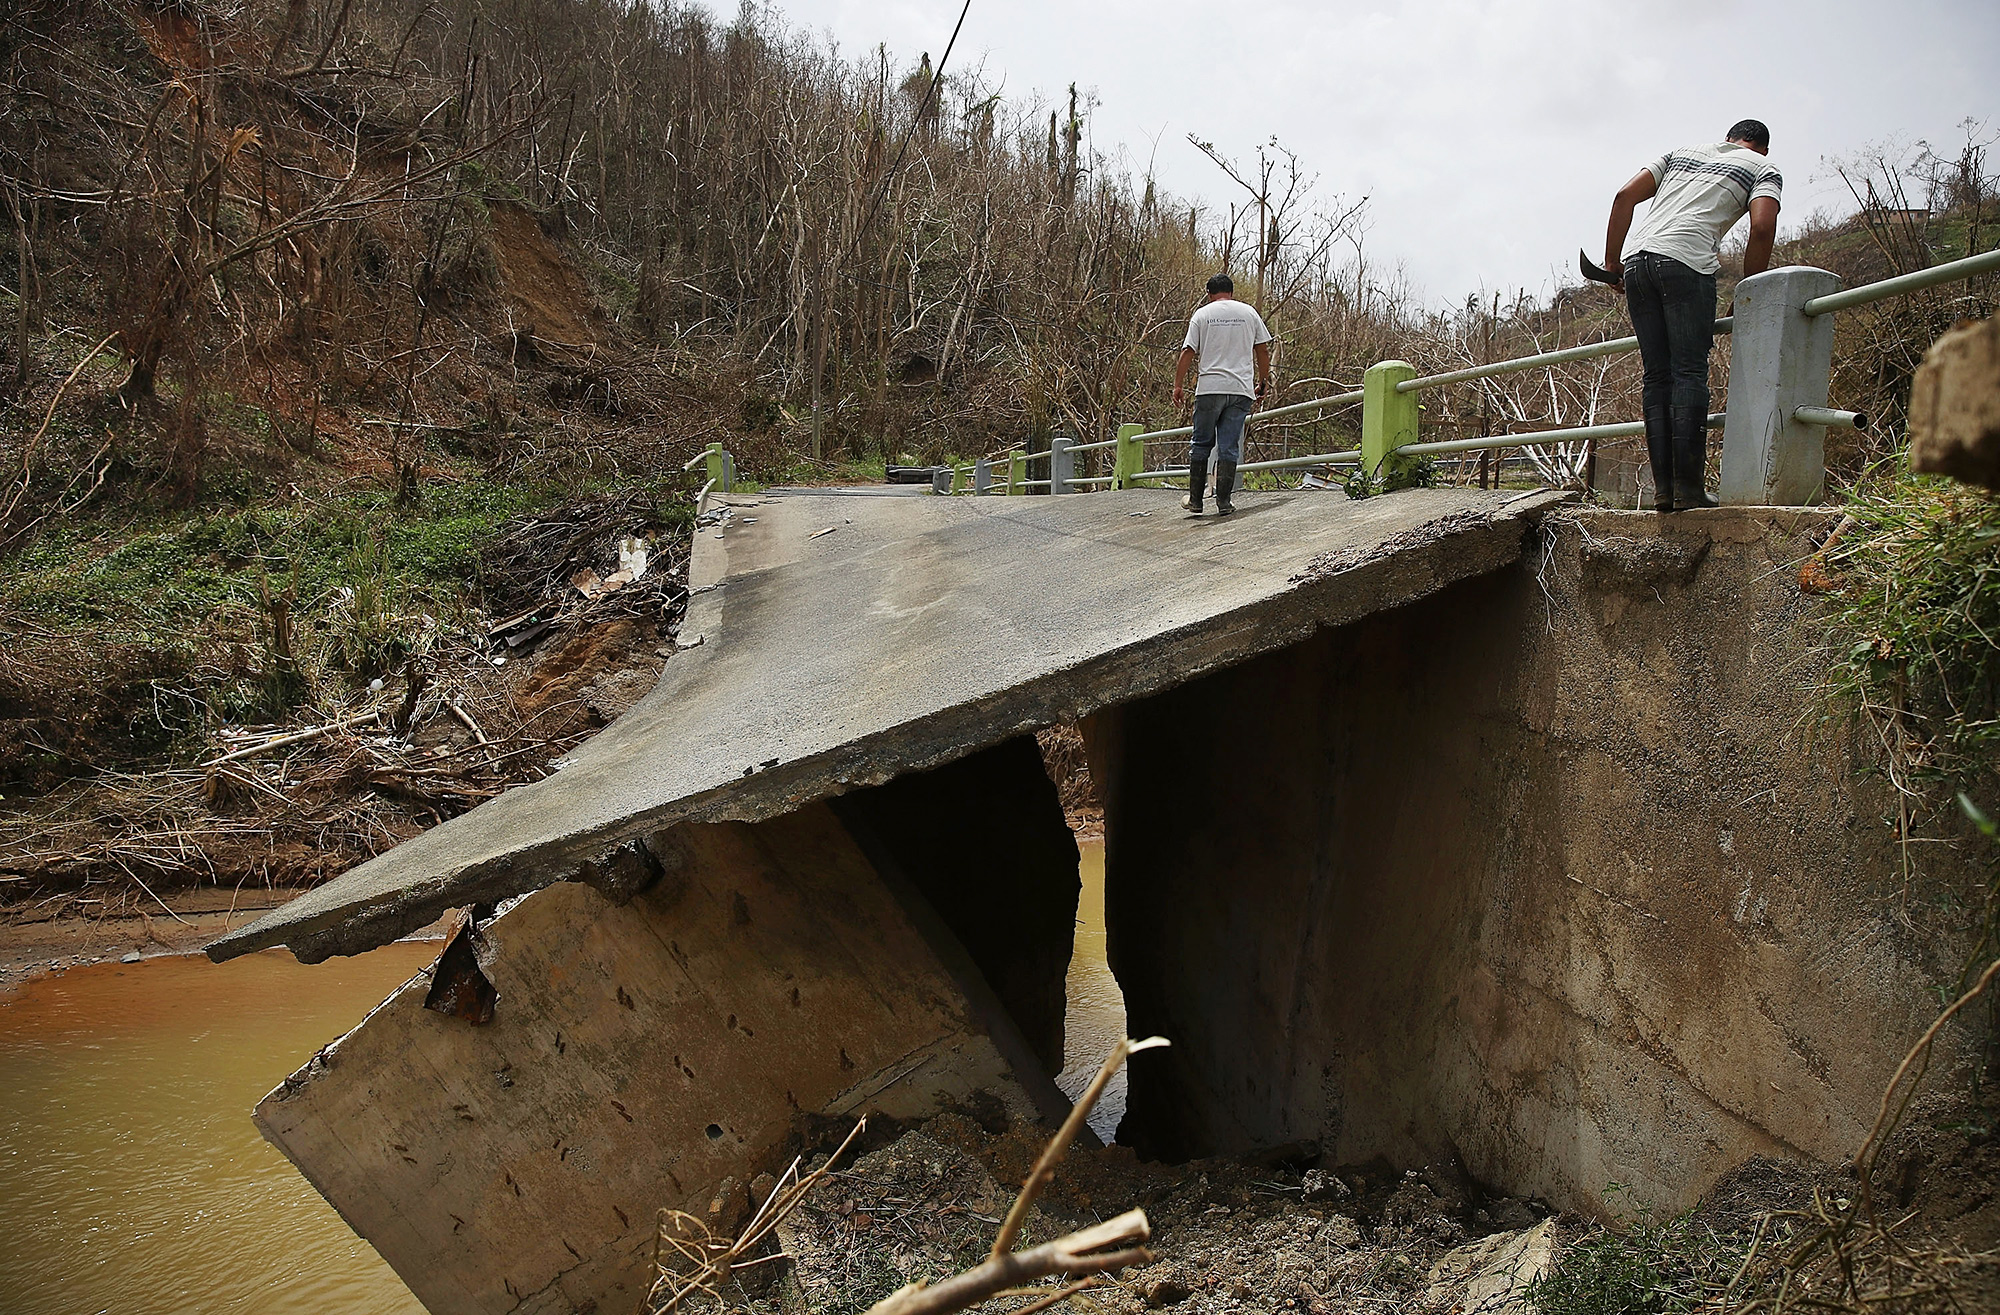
(1781, 359)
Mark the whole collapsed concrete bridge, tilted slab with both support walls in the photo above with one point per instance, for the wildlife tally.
(1443, 824)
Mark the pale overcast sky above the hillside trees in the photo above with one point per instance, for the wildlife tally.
(1489, 137)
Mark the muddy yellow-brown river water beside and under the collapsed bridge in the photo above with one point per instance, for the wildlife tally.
(133, 1180)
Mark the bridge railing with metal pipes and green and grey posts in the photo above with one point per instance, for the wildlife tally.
(1775, 421)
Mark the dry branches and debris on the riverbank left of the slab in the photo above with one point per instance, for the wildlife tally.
(351, 776)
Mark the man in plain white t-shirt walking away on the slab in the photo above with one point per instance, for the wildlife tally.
(1233, 347)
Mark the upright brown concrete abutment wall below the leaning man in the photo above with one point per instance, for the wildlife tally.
(1535, 874)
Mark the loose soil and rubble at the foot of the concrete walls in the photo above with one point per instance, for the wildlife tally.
(1277, 1234)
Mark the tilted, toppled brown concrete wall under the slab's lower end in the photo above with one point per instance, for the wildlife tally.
(641, 1054)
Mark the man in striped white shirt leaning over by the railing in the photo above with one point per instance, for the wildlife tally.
(1669, 277)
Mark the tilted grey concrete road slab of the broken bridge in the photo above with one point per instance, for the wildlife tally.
(851, 641)
